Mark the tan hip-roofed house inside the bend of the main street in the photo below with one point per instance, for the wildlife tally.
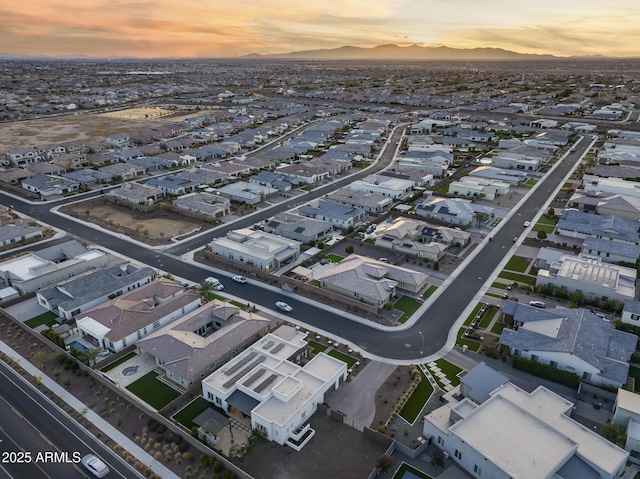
(370, 281)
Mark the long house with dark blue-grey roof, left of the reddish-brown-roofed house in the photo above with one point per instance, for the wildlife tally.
(85, 292)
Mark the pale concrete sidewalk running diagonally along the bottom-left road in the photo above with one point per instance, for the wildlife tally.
(98, 421)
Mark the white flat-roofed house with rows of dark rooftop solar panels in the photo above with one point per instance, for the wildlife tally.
(265, 383)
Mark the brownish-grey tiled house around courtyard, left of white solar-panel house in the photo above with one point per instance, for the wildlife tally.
(202, 341)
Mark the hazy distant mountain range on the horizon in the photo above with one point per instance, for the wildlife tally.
(395, 52)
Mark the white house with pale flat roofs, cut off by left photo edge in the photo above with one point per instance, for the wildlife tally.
(33, 271)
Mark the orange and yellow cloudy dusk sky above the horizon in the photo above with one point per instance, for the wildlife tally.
(216, 28)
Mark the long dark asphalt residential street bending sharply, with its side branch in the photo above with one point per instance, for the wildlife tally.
(404, 345)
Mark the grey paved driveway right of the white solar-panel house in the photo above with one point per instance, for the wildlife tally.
(356, 398)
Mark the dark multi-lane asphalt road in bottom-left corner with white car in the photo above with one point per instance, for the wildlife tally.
(31, 426)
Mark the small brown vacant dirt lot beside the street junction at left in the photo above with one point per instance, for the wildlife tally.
(153, 228)
